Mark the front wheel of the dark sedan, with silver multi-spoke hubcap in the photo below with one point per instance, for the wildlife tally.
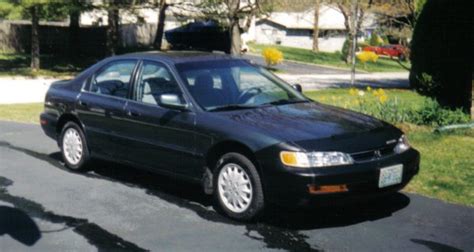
(230, 168)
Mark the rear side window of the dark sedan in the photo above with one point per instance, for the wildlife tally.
(114, 79)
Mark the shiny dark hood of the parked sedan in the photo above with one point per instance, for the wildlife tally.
(304, 123)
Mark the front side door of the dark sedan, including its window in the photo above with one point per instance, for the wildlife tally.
(157, 137)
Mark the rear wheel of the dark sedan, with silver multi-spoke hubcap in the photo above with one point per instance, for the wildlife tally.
(73, 137)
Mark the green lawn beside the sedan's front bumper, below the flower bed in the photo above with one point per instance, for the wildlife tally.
(447, 165)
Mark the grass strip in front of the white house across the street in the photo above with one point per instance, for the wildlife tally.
(330, 59)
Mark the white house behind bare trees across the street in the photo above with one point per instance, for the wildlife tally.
(295, 29)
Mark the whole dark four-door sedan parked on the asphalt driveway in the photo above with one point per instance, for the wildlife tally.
(245, 135)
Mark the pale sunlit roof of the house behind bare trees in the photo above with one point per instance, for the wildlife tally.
(330, 18)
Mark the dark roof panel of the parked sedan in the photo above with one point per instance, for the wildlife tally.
(176, 57)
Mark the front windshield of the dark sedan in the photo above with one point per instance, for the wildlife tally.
(235, 84)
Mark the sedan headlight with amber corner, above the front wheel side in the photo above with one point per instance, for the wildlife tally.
(314, 159)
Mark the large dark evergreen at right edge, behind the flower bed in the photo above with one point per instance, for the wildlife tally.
(442, 52)
